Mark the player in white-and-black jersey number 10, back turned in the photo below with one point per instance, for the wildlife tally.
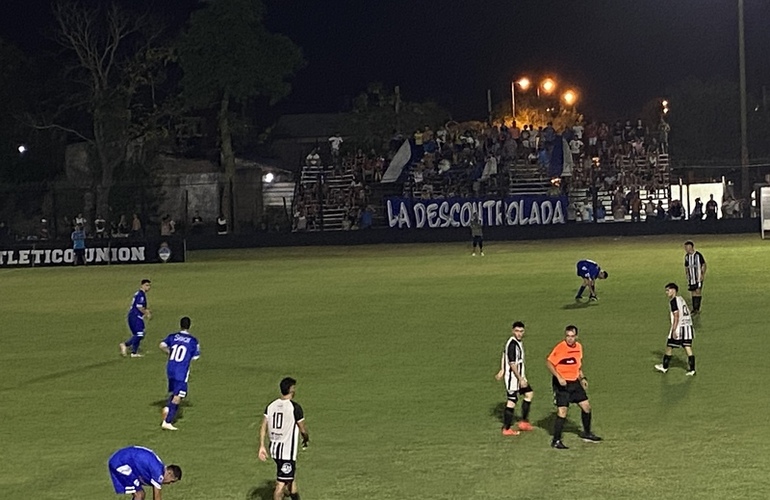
(285, 422)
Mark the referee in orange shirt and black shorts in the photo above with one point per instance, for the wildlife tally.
(569, 386)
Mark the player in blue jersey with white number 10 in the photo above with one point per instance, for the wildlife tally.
(181, 348)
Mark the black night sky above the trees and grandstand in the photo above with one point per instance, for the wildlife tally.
(618, 53)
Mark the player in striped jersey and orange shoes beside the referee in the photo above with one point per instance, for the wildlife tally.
(512, 371)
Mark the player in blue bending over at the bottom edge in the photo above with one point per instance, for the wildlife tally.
(135, 466)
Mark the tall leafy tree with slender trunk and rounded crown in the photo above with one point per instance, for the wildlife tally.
(228, 56)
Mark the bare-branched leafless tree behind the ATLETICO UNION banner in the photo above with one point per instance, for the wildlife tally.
(117, 54)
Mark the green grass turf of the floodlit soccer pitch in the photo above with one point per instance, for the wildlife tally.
(395, 349)
